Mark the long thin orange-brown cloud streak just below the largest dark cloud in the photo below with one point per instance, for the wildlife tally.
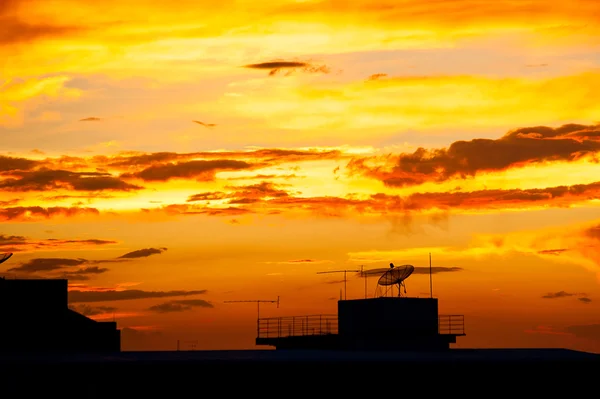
(266, 197)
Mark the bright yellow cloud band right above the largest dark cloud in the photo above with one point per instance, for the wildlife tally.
(424, 102)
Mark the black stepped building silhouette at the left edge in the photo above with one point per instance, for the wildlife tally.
(36, 318)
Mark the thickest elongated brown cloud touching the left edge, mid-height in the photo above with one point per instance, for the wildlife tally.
(48, 179)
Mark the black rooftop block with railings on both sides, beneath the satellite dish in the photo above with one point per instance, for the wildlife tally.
(383, 323)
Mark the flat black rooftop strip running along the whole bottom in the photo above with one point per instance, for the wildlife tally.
(294, 373)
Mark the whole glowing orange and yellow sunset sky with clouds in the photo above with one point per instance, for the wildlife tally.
(169, 159)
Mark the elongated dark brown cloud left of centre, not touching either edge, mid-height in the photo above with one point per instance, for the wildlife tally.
(199, 170)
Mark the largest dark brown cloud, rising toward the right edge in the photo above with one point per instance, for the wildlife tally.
(520, 147)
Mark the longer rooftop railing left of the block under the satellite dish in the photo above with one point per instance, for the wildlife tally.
(277, 327)
